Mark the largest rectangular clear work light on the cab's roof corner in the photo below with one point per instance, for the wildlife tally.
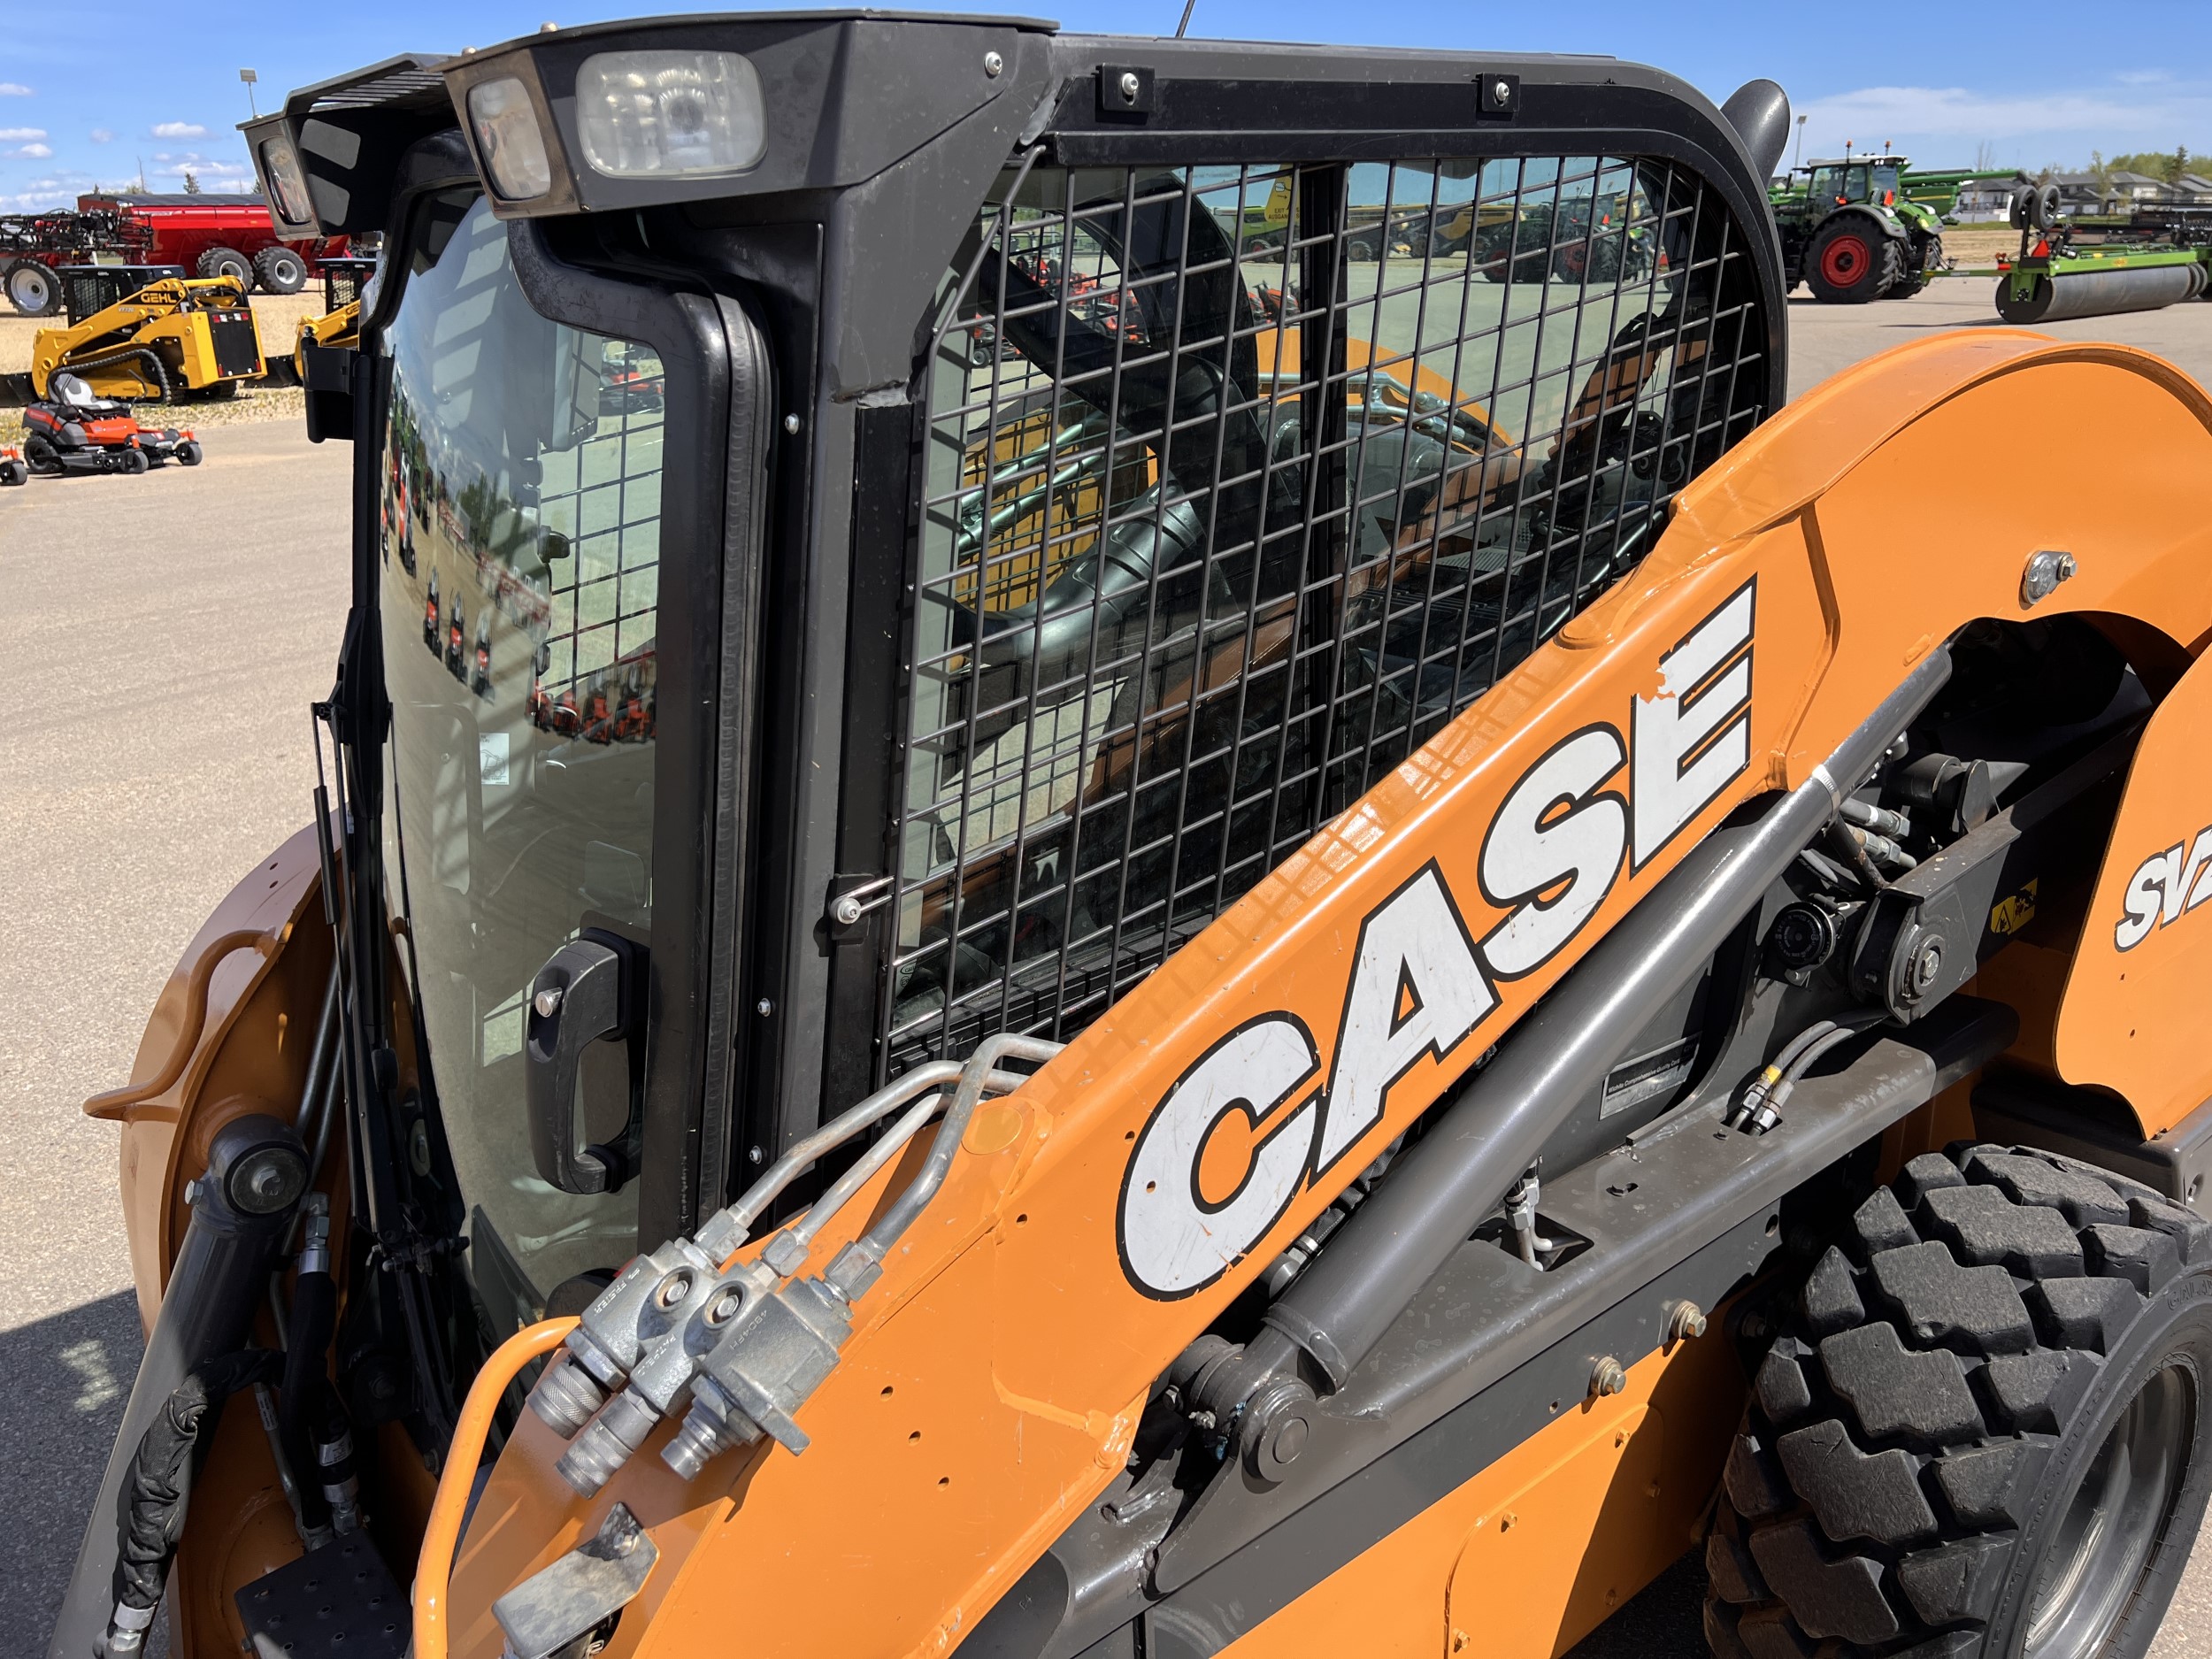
(669, 114)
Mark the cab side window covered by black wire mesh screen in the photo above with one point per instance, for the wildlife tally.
(1240, 486)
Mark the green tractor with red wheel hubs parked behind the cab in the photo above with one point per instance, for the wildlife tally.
(1850, 231)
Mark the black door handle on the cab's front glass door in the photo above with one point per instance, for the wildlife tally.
(589, 990)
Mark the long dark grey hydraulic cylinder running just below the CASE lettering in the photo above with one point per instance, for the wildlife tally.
(1450, 1180)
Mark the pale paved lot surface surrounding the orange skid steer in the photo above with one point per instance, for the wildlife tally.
(165, 638)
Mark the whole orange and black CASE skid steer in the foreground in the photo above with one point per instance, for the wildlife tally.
(1120, 855)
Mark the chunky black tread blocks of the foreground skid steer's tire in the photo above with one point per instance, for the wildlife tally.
(1903, 1419)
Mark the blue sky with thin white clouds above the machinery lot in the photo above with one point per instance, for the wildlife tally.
(2018, 85)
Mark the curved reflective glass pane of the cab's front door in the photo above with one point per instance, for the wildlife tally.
(521, 550)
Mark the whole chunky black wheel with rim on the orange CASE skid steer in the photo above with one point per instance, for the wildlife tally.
(1990, 1417)
